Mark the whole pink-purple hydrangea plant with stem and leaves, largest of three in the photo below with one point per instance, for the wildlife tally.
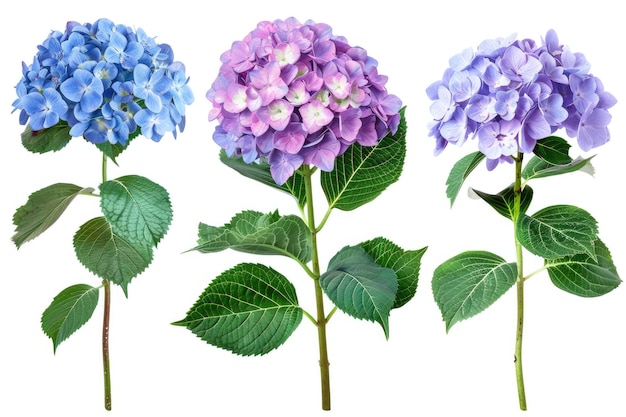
(293, 100)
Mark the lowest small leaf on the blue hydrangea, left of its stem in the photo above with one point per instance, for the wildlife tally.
(69, 310)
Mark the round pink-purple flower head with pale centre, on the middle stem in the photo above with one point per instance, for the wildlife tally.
(294, 94)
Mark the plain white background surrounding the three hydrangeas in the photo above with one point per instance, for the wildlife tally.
(575, 358)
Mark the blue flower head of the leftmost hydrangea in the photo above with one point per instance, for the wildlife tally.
(104, 81)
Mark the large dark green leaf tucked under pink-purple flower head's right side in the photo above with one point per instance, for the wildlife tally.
(362, 173)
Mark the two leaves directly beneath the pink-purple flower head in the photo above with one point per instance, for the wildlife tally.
(360, 174)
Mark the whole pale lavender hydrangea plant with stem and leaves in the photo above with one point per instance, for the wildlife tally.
(512, 97)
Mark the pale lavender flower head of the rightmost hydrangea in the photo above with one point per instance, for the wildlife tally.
(510, 93)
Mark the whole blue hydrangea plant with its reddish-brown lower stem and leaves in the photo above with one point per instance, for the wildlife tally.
(108, 84)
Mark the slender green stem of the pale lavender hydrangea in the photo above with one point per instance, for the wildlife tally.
(519, 372)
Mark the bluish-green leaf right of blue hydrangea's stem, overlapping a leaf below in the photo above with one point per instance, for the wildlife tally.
(138, 209)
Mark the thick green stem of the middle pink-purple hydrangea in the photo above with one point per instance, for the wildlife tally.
(319, 295)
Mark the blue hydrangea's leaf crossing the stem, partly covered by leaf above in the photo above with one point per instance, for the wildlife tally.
(108, 255)
